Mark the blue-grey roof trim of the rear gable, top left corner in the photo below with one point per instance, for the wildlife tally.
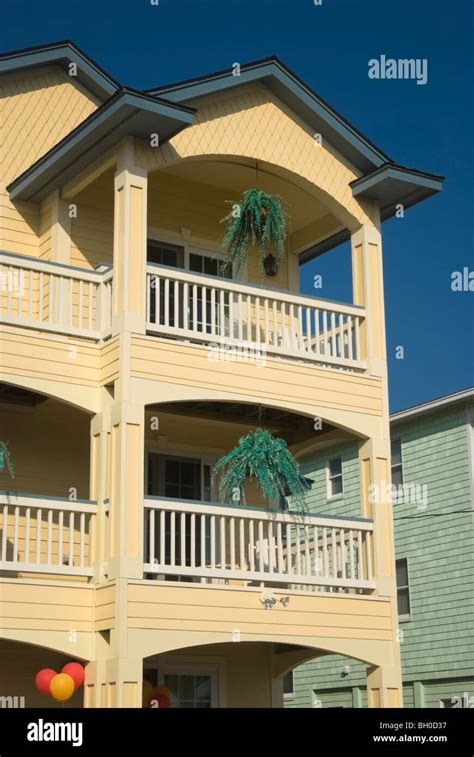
(62, 53)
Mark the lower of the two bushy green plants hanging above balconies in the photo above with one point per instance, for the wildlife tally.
(266, 458)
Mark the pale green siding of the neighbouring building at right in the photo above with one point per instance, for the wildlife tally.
(438, 542)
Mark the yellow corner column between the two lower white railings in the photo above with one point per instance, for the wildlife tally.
(126, 490)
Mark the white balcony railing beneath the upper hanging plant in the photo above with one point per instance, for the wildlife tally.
(209, 309)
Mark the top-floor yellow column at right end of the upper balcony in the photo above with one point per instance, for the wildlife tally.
(367, 277)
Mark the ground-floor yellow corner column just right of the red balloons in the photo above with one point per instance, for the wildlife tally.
(112, 683)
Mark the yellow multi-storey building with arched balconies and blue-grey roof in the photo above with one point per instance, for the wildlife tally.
(128, 366)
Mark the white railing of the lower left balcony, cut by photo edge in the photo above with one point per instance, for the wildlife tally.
(46, 534)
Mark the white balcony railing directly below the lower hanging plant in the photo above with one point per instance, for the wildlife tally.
(205, 541)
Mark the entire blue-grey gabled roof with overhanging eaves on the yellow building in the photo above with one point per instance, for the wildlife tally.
(128, 111)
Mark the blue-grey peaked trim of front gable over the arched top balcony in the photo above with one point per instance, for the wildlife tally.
(310, 106)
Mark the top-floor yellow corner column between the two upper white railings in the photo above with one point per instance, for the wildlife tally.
(130, 234)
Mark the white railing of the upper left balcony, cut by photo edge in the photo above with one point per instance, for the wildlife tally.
(54, 297)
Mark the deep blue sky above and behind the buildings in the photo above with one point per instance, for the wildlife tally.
(428, 127)
